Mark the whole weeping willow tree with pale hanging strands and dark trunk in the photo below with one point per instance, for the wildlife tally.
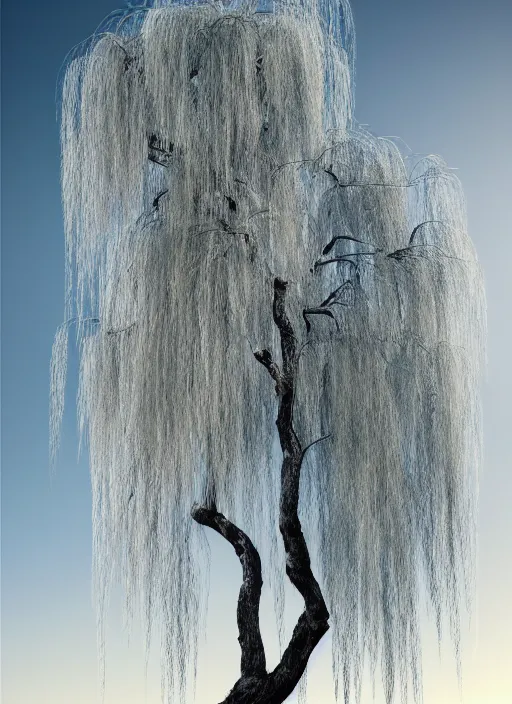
(267, 298)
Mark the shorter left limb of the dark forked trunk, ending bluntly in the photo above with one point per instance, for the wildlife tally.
(251, 644)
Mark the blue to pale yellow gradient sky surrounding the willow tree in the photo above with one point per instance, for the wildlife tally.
(436, 74)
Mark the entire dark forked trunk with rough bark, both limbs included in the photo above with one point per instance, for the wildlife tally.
(256, 685)
